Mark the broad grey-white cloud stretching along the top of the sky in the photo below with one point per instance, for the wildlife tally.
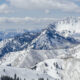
(63, 5)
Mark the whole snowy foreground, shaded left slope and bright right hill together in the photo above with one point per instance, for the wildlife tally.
(51, 69)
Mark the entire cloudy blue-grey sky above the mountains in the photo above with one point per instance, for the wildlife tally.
(35, 14)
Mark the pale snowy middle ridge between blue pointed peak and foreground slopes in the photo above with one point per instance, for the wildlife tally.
(29, 58)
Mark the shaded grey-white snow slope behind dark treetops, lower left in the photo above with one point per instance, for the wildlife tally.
(23, 73)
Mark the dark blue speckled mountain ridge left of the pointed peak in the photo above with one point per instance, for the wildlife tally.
(17, 43)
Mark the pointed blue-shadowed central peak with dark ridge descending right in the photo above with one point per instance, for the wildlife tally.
(50, 39)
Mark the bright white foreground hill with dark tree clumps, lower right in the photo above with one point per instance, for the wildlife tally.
(61, 69)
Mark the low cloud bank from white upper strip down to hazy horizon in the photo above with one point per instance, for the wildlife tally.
(28, 23)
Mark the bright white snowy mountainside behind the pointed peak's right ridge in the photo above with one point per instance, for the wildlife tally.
(69, 27)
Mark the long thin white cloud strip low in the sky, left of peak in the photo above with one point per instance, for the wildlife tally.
(25, 19)
